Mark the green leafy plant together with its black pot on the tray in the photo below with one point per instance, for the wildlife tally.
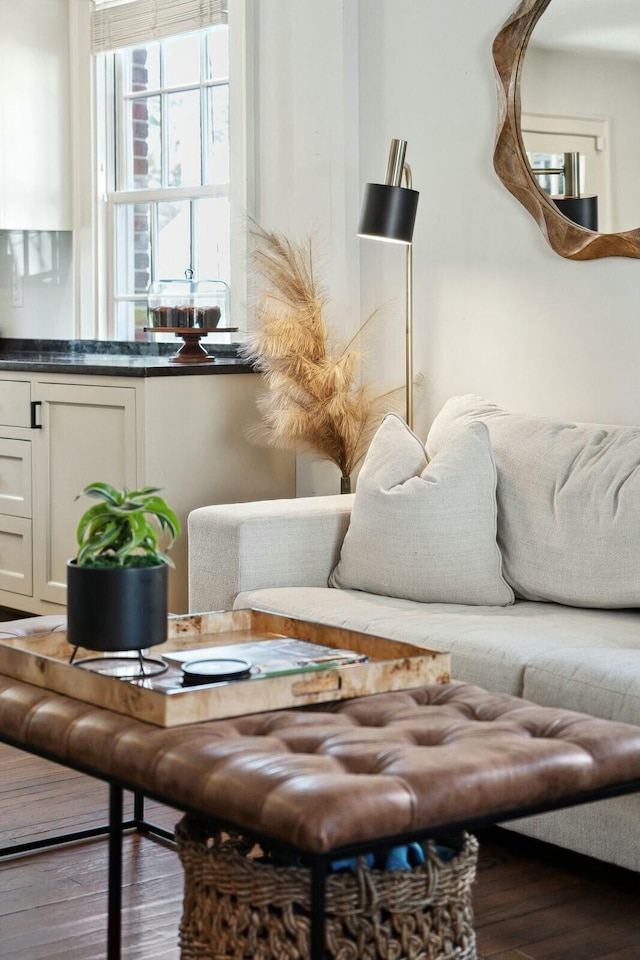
(117, 583)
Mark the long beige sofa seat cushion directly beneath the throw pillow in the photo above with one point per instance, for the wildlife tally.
(489, 646)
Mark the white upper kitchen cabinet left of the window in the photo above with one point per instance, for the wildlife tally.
(35, 116)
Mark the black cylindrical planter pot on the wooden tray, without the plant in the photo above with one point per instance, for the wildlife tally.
(116, 609)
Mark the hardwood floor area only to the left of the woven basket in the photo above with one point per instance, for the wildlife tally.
(53, 903)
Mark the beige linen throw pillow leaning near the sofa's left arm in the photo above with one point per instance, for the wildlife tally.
(424, 530)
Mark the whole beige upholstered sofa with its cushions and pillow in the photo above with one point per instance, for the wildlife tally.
(554, 539)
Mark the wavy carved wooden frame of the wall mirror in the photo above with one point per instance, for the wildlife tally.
(510, 159)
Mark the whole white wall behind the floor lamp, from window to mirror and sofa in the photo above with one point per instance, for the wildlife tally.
(497, 312)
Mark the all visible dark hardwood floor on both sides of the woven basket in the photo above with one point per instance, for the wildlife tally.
(532, 902)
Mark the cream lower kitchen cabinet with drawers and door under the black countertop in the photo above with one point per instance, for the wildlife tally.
(184, 434)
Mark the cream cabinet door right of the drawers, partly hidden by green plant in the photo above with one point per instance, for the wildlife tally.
(88, 433)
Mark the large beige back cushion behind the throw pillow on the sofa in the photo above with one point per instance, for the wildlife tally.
(568, 503)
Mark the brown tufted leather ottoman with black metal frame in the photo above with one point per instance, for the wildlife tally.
(344, 777)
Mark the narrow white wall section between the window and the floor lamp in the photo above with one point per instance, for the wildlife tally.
(307, 173)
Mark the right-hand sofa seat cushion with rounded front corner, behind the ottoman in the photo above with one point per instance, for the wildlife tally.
(602, 682)
